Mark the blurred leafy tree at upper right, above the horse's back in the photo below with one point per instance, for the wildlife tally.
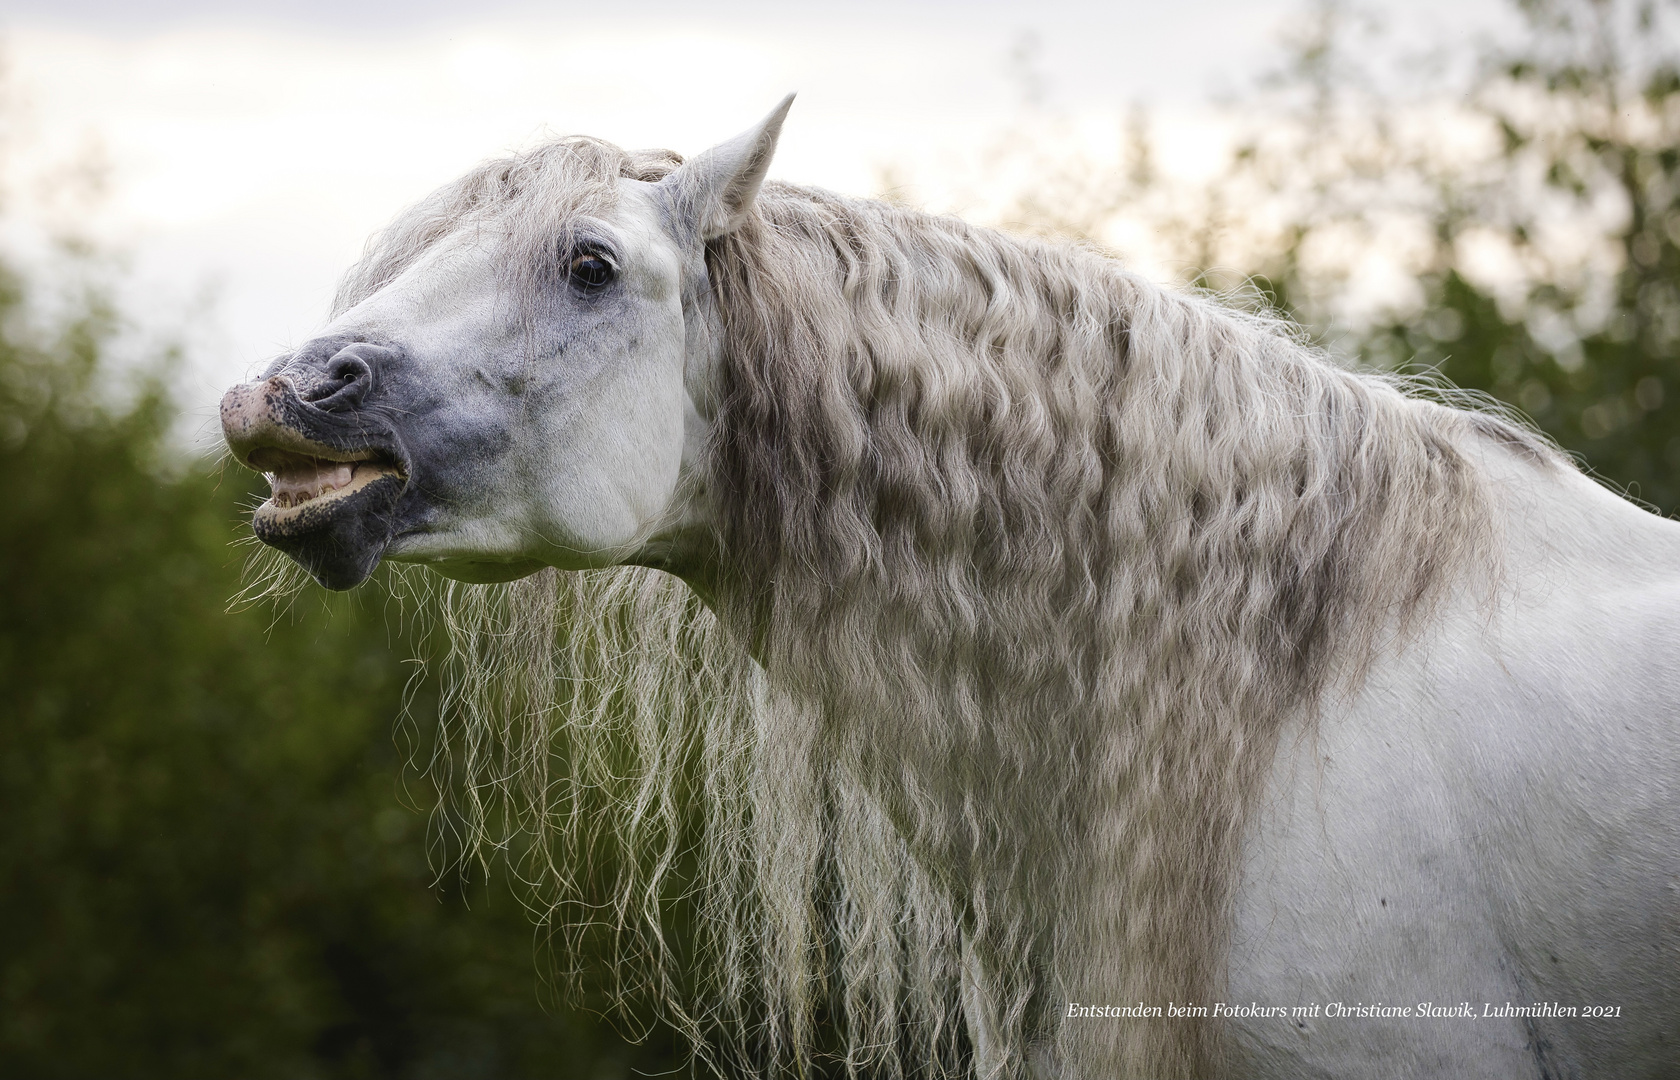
(1550, 204)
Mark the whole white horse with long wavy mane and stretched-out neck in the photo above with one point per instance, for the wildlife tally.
(1111, 653)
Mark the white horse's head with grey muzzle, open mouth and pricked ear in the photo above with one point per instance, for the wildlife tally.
(525, 384)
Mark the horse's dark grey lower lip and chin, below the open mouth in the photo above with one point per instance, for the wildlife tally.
(339, 535)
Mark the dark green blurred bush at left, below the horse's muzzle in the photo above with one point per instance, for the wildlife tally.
(207, 871)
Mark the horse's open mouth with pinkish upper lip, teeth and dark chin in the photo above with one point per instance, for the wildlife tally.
(333, 486)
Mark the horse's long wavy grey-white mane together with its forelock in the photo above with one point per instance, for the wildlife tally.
(1026, 567)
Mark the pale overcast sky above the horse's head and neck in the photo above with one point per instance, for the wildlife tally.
(253, 147)
